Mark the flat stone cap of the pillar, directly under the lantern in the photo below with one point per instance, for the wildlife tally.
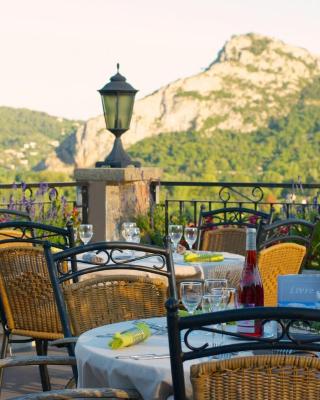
(116, 175)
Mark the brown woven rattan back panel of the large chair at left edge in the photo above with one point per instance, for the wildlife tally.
(27, 294)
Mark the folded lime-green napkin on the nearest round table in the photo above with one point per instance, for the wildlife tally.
(140, 332)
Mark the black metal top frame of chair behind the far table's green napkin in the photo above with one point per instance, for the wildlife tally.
(230, 216)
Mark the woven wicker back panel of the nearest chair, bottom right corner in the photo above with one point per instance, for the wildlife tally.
(265, 377)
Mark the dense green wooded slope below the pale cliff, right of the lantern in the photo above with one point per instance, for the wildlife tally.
(287, 148)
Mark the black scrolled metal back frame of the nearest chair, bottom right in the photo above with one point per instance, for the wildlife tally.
(286, 318)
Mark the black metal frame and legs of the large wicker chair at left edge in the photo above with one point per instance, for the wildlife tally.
(34, 233)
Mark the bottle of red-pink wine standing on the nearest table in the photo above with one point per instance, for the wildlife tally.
(250, 292)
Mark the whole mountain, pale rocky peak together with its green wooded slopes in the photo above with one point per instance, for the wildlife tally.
(253, 114)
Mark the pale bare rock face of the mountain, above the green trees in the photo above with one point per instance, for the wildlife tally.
(252, 79)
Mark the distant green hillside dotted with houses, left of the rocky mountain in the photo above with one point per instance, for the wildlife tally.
(27, 136)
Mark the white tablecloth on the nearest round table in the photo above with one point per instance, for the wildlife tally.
(98, 367)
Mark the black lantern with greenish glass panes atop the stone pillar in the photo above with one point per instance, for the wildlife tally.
(117, 100)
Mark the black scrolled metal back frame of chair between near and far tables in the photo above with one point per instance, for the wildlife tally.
(58, 277)
